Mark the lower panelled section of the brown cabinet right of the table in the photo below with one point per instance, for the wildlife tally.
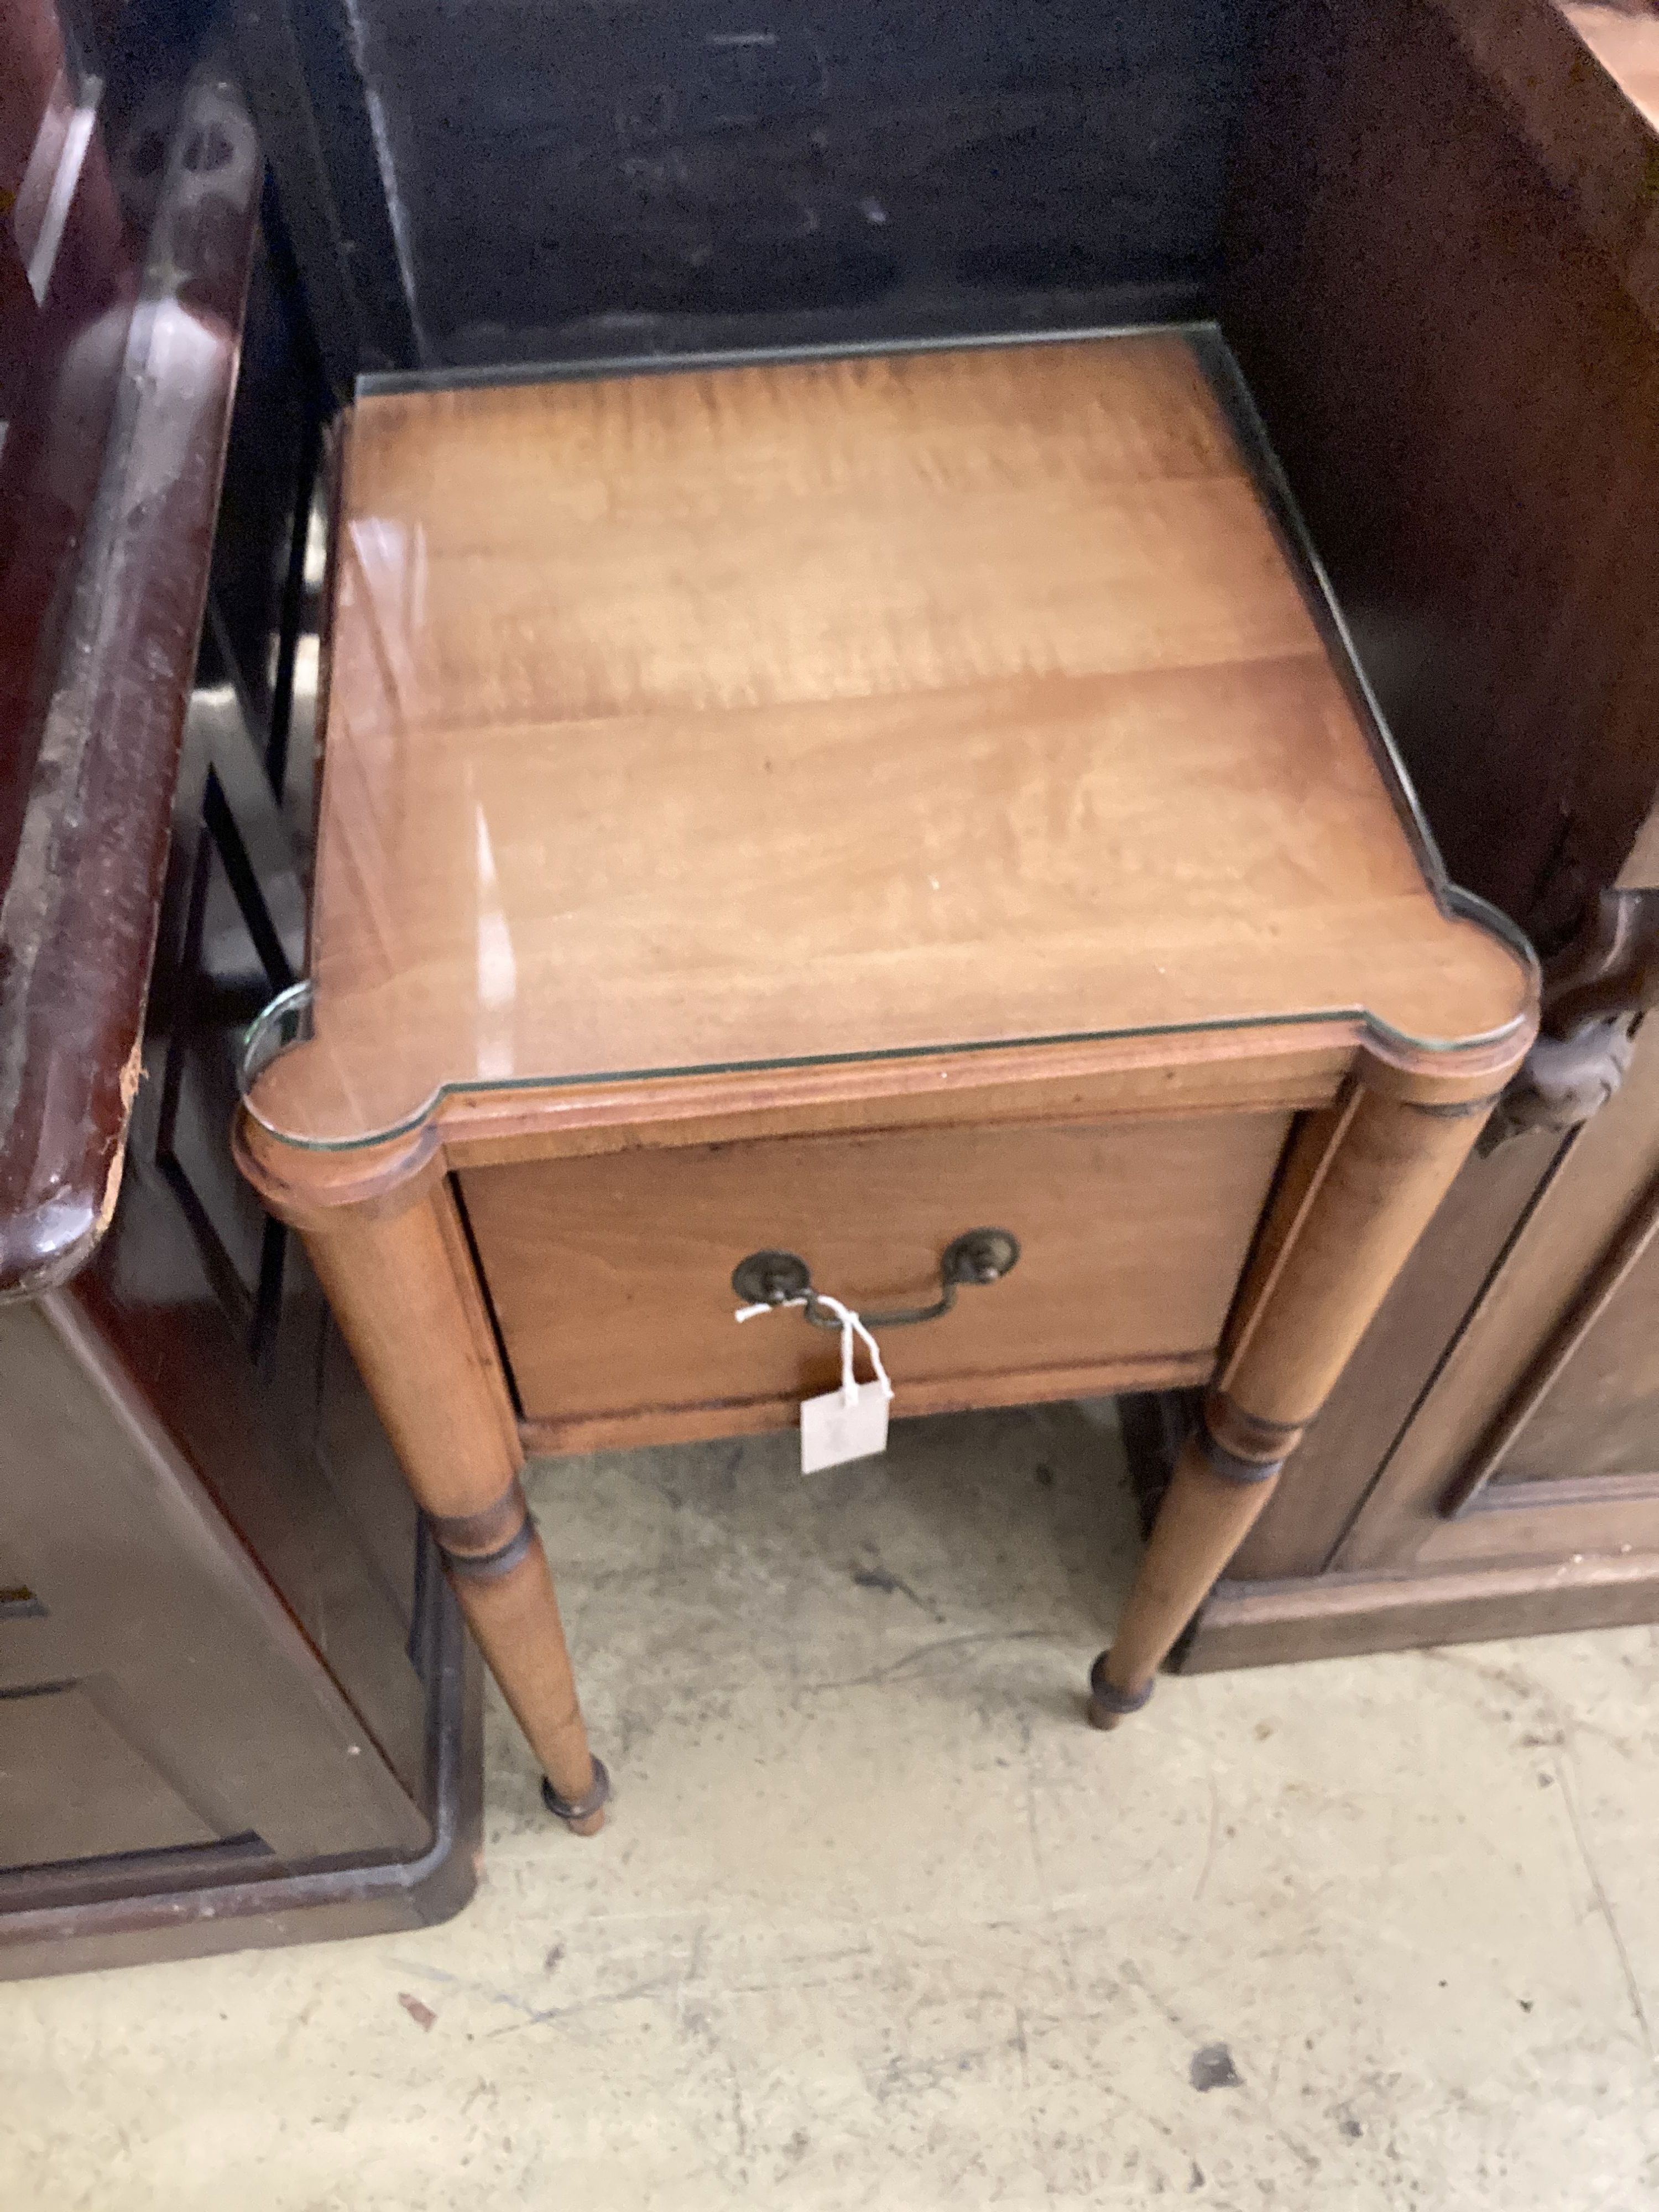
(1492, 1461)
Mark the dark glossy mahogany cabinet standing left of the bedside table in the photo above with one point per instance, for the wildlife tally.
(236, 1702)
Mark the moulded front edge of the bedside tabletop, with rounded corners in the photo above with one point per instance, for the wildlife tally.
(1149, 1076)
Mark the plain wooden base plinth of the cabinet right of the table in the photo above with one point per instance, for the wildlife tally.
(1342, 1616)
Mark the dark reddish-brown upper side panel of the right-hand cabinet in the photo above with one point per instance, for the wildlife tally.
(1443, 295)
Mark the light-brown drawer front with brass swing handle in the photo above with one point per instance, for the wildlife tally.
(612, 1275)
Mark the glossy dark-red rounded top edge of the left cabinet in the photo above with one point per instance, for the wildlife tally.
(83, 899)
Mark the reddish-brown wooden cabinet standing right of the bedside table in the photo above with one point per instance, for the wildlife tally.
(1505, 620)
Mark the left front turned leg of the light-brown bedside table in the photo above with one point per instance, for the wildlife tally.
(406, 1297)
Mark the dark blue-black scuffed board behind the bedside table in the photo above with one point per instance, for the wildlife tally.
(662, 163)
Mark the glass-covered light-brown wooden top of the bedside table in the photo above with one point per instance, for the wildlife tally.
(835, 709)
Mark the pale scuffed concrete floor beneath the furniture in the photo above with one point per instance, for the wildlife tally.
(881, 1923)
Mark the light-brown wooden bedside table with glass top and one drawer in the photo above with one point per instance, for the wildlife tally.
(786, 820)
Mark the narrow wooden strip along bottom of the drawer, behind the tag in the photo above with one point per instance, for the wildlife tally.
(567, 1437)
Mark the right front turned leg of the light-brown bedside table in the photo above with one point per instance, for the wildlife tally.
(1355, 1198)
